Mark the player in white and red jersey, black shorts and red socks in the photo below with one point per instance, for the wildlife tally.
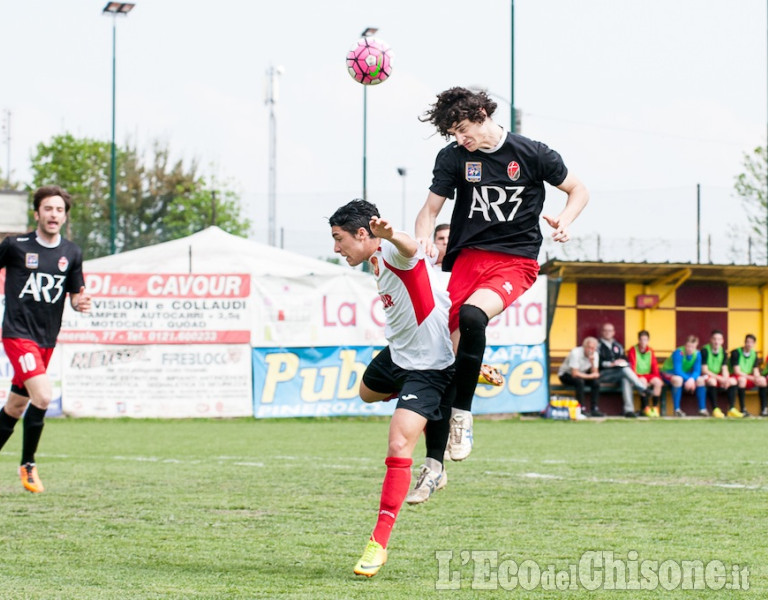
(415, 367)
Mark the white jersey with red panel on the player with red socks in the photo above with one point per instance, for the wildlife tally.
(416, 307)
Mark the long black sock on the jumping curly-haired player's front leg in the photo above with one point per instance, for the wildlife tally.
(469, 354)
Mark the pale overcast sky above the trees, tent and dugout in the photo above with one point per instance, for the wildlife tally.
(644, 99)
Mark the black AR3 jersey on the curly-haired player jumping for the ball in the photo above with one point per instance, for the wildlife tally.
(499, 195)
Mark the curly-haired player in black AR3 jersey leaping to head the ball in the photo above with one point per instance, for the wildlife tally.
(498, 181)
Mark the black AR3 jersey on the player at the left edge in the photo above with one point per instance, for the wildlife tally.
(37, 279)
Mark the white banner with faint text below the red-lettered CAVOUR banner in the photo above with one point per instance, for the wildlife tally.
(157, 381)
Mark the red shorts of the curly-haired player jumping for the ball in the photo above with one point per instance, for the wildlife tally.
(506, 274)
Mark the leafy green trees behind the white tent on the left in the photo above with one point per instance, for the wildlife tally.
(157, 199)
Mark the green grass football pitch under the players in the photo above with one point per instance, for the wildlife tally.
(282, 509)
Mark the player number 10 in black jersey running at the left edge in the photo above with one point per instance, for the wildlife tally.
(41, 268)
